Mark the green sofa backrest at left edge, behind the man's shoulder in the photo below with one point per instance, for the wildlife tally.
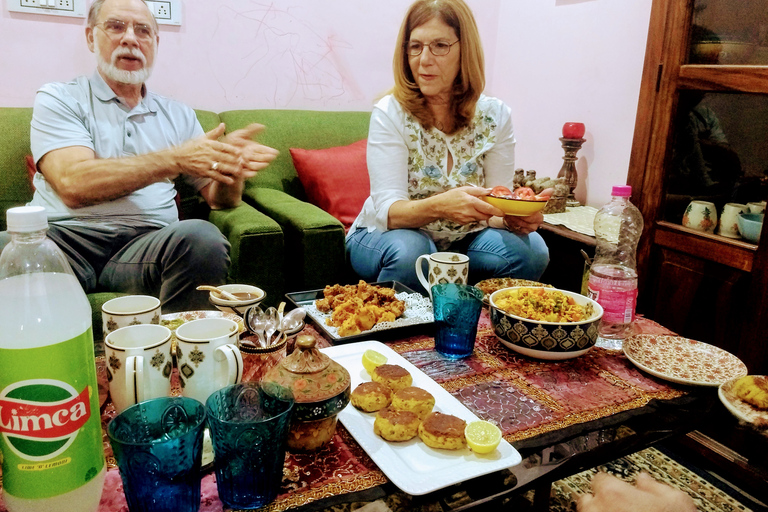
(15, 189)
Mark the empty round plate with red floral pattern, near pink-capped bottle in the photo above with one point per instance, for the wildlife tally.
(683, 360)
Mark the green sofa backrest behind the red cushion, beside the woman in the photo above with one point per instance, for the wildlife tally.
(306, 129)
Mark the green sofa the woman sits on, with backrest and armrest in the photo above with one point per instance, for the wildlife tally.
(314, 240)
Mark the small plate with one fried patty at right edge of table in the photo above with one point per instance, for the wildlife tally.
(747, 399)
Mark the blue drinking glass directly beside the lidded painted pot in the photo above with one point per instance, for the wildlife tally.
(249, 425)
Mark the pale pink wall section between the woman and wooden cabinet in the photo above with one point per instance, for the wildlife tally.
(573, 60)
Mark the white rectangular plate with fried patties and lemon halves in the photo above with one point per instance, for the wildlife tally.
(415, 431)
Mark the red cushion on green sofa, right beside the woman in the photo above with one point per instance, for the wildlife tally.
(335, 179)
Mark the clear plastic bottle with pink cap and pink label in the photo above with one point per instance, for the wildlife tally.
(613, 274)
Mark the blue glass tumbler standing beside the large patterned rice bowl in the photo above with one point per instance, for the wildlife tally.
(457, 309)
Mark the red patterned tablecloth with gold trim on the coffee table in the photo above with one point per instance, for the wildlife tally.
(525, 397)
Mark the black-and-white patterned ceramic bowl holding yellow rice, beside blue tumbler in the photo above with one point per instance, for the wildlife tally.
(546, 340)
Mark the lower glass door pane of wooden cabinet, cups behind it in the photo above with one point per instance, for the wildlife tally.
(719, 157)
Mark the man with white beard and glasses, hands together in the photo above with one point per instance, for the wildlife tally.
(107, 151)
